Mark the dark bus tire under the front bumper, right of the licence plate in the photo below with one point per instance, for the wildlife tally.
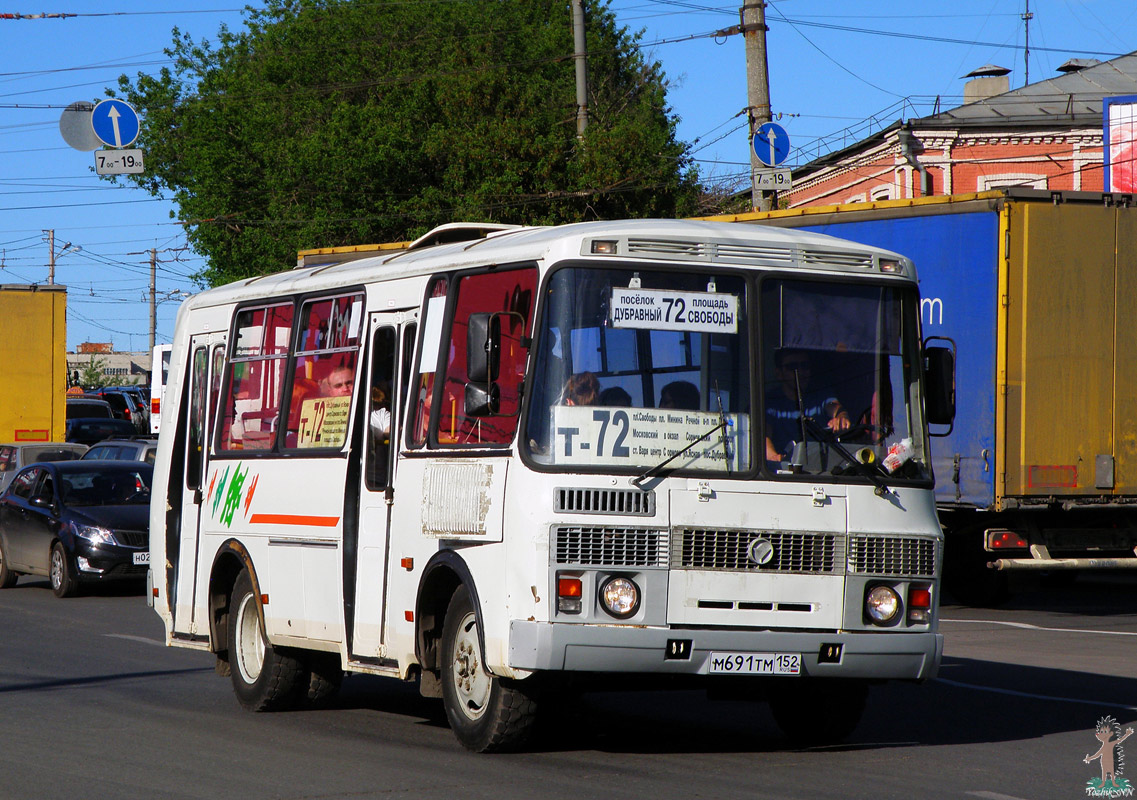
(819, 712)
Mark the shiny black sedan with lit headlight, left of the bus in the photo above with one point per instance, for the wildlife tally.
(77, 522)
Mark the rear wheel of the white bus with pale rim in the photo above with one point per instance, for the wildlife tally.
(265, 679)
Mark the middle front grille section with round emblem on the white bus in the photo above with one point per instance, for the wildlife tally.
(793, 553)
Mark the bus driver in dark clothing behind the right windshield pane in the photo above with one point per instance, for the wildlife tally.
(785, 407)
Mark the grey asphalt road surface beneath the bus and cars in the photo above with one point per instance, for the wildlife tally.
(94, 706)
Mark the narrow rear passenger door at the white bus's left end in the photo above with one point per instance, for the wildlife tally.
(205, 365)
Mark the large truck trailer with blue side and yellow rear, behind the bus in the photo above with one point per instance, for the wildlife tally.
(1038, 291)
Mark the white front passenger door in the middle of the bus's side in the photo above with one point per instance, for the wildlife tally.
(393, 338)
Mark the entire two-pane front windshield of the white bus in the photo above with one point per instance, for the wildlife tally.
(652, 371)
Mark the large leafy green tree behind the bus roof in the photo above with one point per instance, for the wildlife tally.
(343, 122)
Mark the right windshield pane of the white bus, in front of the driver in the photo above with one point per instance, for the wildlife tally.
(841, 378)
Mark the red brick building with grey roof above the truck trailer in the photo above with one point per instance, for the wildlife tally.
(1044, 136)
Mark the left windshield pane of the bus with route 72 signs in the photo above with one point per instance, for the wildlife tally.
(636, 366)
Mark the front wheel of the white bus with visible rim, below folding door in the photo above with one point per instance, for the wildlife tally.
(487, 714)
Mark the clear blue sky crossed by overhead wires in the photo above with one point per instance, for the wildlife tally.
(840, 70)
